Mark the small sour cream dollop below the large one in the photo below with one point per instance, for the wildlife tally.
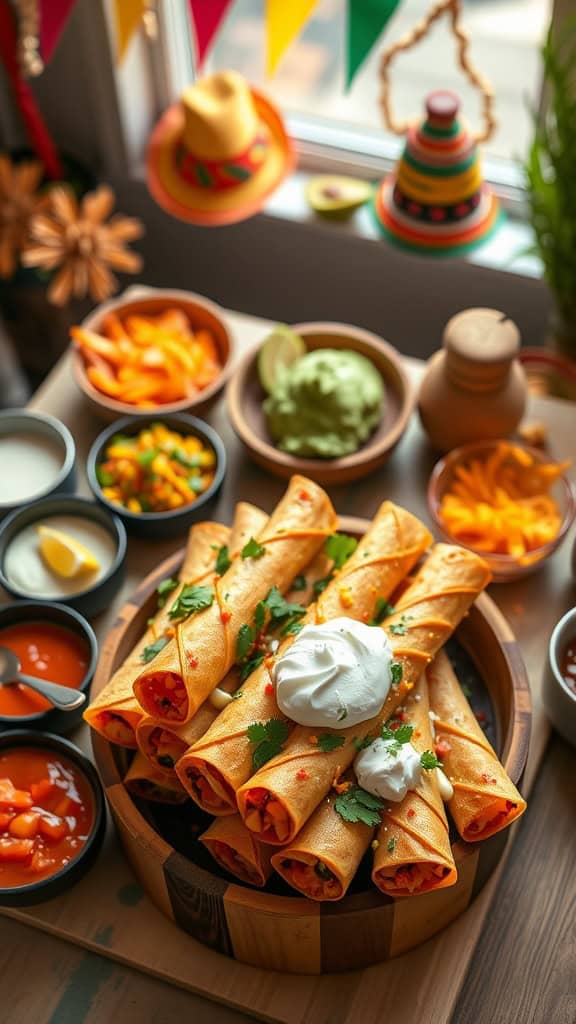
(389, 771)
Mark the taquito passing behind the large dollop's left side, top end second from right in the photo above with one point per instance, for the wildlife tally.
(214, 770)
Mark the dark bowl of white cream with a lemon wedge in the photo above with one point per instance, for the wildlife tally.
(62, 549)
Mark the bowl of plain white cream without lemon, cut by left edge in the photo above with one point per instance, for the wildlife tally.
(37, 457)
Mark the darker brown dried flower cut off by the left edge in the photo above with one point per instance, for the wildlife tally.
(19, 202)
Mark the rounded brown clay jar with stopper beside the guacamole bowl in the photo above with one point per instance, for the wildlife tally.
(475, 389)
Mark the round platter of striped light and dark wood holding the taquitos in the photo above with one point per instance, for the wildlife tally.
(275, 928)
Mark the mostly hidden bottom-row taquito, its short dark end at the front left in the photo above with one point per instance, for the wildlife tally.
(235, 849)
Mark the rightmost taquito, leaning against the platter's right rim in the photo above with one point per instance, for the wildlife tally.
(485, 800)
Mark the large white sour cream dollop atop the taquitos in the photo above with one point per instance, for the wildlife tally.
(335, 675)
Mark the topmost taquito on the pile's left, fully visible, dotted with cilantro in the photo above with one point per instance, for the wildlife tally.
(205, 645)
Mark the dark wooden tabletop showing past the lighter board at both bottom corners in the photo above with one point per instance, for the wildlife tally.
(46, 982)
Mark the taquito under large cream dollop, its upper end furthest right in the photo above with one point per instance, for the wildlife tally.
(277, 802)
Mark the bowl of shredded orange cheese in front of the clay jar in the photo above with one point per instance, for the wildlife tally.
(509, 502)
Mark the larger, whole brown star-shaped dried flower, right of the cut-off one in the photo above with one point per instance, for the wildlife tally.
(75, 238)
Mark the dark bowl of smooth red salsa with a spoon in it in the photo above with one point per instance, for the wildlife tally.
(53, 643)
